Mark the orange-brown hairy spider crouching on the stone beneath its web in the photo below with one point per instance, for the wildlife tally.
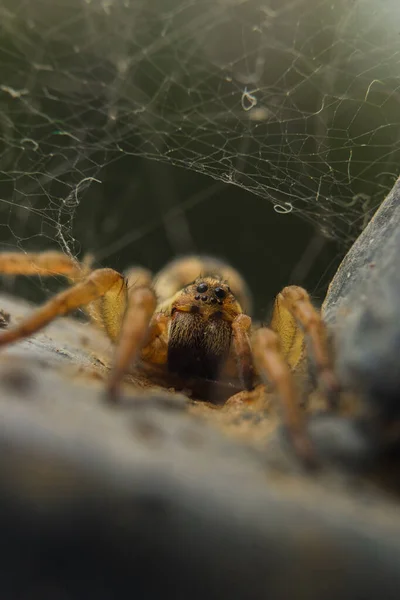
(190, 320)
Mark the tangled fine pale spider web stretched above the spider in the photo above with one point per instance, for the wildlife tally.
(295, 101)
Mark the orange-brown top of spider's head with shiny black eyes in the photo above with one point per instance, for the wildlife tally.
(209, 297)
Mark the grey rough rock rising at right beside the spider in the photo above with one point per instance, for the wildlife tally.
(363, 310)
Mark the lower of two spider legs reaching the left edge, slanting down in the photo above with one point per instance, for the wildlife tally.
(96, 285)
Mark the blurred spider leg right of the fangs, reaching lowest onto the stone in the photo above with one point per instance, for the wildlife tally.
(273, 367)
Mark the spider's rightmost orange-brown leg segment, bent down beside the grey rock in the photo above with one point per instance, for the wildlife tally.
(298, 303)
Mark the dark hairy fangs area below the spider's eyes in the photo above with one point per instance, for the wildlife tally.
(198, 347)
